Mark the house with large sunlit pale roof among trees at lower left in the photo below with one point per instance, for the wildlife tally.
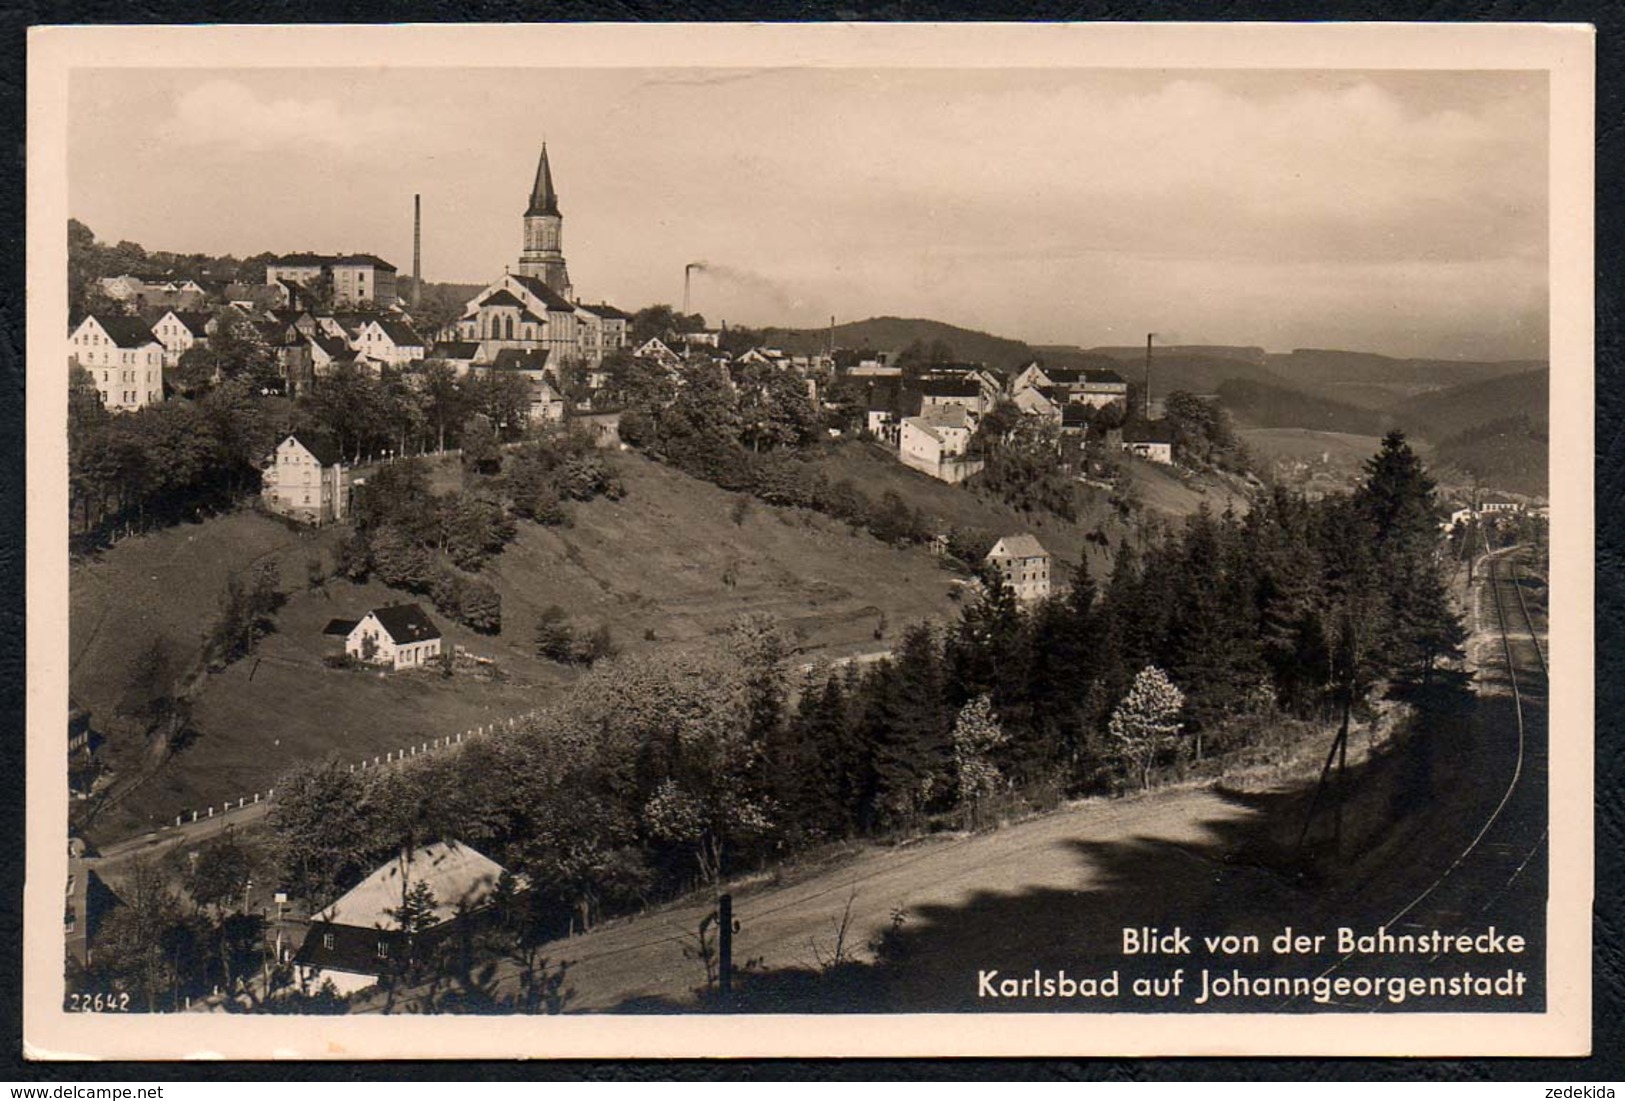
(357, 939)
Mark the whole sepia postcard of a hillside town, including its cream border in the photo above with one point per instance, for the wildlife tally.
(810, 542)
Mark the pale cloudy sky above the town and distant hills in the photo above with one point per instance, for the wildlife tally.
(1392, 212)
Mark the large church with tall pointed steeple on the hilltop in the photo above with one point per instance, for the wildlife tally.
(534, 309)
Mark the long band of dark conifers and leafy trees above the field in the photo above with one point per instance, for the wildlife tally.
(664, 771)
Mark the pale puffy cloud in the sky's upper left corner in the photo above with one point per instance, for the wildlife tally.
(225, 113)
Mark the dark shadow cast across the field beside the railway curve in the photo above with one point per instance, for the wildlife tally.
(1406, 814)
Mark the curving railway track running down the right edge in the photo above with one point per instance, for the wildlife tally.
(1510, 847)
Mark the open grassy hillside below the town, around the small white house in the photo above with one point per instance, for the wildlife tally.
(664, 566)
